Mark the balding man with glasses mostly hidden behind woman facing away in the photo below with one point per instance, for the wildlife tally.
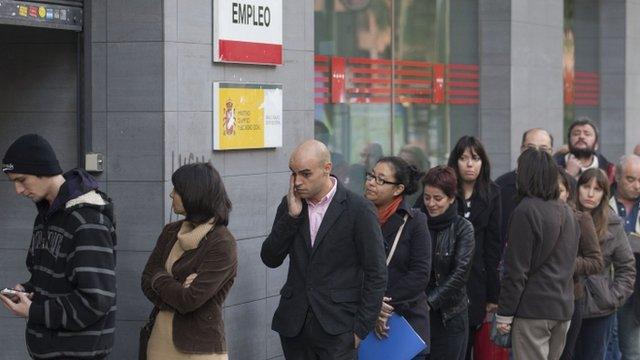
(535, 139)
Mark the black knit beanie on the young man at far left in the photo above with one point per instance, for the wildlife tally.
(31, 154)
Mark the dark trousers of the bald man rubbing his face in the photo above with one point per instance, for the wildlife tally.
(313, 343)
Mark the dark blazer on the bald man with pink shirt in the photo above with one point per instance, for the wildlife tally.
(342, 277)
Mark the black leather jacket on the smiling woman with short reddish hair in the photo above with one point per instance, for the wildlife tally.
(451, 264)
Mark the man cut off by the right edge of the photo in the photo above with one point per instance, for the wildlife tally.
(626, 202)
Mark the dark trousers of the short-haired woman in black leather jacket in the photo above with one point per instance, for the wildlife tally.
(449, 339)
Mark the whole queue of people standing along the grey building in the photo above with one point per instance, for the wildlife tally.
(548, 254)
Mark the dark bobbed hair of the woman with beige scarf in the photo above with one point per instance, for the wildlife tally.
(203, 194)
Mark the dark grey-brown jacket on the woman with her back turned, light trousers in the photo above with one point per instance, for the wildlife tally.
(539, 261)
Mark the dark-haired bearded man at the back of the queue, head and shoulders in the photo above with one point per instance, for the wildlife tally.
(583, 150)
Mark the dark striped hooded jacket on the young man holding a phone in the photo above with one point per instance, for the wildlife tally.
(72, 262)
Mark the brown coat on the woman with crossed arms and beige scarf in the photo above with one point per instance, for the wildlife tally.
(198, 327)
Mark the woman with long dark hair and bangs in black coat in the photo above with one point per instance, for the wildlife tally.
(479, 202)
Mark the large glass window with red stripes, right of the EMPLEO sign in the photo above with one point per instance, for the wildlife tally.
(390, 81)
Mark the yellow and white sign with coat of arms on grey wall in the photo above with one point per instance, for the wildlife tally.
(240, 113)
